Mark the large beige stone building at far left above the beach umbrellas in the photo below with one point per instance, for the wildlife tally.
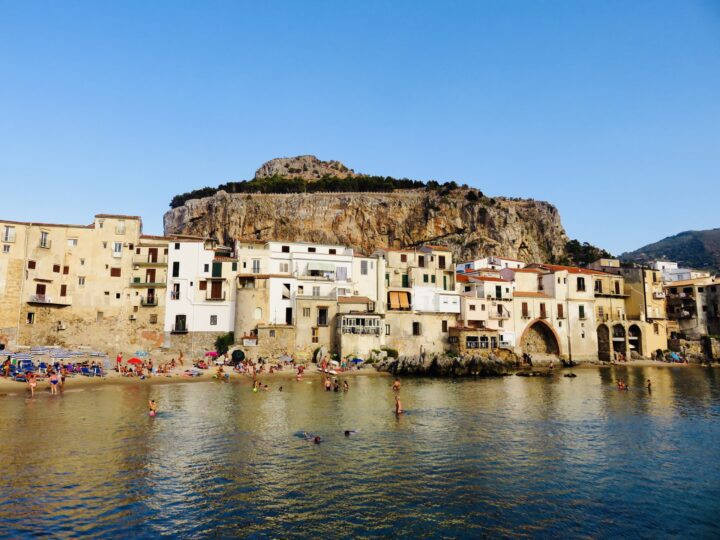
(73, 285)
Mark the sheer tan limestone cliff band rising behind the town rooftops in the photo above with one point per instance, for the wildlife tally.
(524, 229)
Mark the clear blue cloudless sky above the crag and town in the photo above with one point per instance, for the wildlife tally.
(609, 110)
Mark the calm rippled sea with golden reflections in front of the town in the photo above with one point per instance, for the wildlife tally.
(513, 456)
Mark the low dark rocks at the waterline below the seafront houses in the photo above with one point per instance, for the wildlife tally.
(442, 365)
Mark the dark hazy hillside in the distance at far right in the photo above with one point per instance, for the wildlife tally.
(693, 249)
